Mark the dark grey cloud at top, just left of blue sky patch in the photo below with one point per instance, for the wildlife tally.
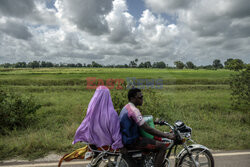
(88, 15)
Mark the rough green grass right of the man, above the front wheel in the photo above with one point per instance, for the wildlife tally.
(210, 115)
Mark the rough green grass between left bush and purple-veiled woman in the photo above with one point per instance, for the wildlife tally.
(57, 121)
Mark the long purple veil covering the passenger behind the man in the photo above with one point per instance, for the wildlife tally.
(101, 126)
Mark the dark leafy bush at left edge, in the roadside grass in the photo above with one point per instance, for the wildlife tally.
(16, 111)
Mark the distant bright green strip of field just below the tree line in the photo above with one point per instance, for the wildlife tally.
(77, 76)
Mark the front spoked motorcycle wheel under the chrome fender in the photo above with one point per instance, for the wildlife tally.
(202, 158)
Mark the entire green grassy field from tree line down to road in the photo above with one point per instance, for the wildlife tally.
(201, 98)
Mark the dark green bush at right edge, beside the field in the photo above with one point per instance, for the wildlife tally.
(240, 86)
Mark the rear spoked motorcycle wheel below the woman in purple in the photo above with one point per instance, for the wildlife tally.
(111, 162)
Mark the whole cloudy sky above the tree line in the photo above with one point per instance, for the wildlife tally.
(118, 31)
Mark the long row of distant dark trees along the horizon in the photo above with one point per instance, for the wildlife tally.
(232, 64)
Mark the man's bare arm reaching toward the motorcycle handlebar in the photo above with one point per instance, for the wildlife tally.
(156, 132)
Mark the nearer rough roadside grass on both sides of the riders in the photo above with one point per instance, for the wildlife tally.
(206, 110)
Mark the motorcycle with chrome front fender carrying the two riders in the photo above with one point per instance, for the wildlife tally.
(194, 155)
